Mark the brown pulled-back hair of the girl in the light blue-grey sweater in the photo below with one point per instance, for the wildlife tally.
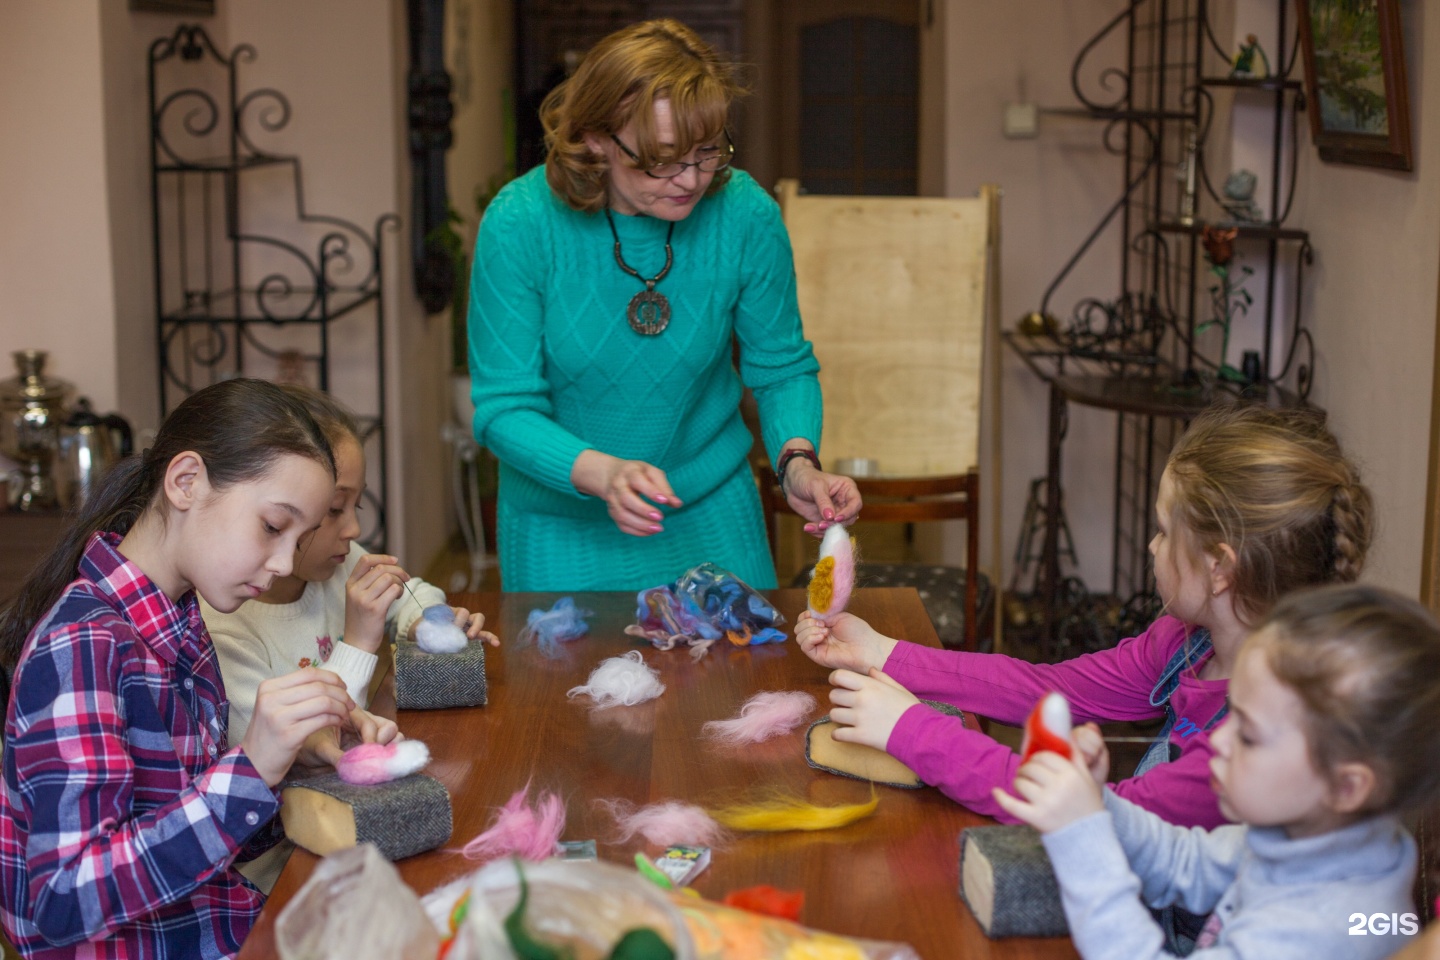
(1366, 666)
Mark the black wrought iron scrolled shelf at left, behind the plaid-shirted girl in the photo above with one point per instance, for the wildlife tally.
(243, 290)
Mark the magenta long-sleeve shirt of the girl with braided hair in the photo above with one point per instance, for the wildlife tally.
(1104, 687)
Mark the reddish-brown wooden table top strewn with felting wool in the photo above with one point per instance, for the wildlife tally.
(891, 877)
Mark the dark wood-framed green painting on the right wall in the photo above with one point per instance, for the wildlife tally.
(1356, 81)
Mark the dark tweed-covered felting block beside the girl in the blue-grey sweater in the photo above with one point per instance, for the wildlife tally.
(1009, 883)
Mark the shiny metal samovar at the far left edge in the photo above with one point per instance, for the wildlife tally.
(31, 411)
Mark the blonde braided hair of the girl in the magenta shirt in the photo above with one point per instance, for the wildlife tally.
(1275, 487)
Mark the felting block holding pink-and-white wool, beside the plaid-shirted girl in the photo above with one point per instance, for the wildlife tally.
(401, 818)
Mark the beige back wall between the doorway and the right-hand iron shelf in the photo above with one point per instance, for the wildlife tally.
(1056, 189)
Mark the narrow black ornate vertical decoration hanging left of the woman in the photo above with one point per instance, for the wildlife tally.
(430, 116)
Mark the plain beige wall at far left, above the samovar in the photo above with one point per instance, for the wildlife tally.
(57, 271)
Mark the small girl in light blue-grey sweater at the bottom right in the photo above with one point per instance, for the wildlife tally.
(1334, 710)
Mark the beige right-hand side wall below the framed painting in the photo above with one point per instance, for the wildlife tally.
(1373, 307)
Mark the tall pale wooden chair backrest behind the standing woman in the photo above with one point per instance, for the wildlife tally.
(894, 296)
